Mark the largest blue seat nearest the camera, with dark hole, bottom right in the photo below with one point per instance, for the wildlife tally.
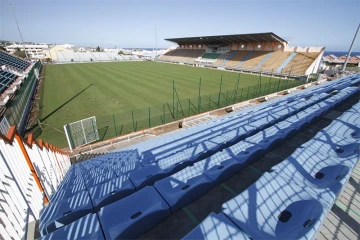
(272, 208)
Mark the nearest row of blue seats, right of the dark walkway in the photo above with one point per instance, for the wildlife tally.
(293, 199)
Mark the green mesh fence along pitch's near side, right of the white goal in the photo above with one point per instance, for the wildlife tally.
(143, 118)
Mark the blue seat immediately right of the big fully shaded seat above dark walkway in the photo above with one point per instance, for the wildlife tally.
(183, 187)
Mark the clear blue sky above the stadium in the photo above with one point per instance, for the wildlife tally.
(132, 23)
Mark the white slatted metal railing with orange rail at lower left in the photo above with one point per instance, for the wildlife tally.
(30, 172)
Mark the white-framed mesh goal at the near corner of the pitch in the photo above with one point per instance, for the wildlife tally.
(81, 132)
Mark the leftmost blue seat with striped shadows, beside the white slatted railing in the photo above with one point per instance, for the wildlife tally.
(61, 213)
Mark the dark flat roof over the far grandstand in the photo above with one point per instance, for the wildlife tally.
(221, 39)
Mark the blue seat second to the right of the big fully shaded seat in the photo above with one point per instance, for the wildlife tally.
(220, 166)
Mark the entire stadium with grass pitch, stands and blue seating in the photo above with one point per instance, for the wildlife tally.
(223, 137)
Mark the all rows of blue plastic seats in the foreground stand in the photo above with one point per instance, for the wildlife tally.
(134, 189)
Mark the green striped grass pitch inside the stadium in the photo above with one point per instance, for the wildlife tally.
(76, 91)
